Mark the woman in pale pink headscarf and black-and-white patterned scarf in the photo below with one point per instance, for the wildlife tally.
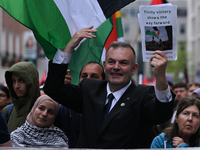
(38, 131)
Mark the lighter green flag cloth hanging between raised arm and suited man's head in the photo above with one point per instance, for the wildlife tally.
(89, 50)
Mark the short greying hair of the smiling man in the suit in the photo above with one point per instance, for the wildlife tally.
(117, 44)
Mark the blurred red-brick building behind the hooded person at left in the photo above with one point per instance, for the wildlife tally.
(17, 43)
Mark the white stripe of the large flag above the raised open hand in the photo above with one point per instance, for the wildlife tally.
(79, 14)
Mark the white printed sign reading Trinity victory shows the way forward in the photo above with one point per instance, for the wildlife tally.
(158, 25)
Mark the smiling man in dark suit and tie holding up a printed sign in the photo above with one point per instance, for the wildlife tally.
(134, 109)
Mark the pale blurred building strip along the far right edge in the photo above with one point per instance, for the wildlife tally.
(193, 38)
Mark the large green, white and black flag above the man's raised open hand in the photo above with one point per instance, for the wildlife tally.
(54, 22)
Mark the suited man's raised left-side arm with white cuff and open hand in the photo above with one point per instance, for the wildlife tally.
(54, 86)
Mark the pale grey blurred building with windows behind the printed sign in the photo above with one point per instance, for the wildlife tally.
(132, 30)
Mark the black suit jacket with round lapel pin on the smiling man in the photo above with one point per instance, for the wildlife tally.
(126, 126)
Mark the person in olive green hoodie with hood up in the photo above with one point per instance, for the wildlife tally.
(22, 80)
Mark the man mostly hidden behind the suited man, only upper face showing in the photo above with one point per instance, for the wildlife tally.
(68, 120)
